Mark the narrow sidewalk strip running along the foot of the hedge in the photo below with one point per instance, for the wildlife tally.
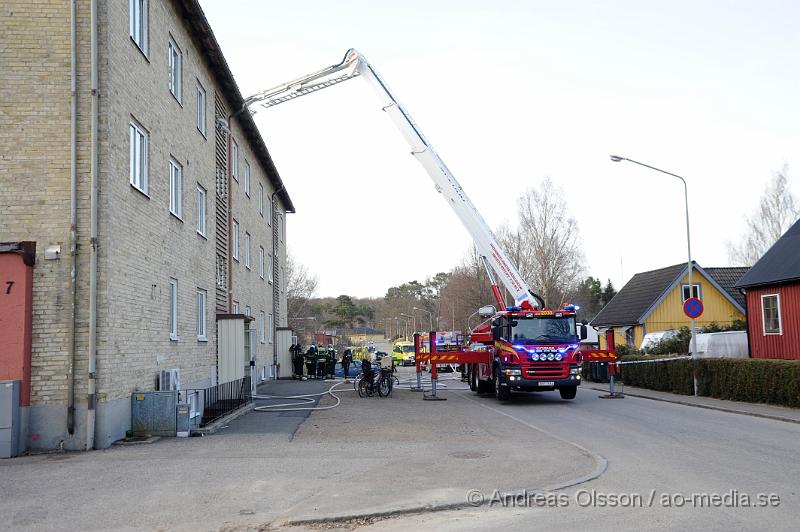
(779, 413)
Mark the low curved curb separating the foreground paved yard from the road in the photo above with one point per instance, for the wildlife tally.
(601, 465)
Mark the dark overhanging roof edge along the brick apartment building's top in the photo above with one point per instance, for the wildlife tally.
(200, 29)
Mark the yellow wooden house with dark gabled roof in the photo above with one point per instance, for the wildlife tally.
(653, 301)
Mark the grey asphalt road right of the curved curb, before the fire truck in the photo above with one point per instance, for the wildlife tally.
(666, 463)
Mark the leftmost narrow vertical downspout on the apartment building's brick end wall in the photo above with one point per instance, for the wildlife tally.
(73, 215)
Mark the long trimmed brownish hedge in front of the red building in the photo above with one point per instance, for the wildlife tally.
(736, 379)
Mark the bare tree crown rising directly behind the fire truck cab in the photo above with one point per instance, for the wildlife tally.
(546, 244)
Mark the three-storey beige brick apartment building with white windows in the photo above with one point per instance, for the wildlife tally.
(179, 211)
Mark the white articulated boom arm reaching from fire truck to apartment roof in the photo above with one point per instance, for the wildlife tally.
(355, 65)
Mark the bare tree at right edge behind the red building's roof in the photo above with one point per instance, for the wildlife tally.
(778, 210)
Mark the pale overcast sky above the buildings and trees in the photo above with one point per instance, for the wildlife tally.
(509, 92)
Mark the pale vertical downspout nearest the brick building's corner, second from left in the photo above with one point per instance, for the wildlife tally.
(92, 385)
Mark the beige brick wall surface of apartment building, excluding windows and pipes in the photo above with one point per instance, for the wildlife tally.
(141, 245)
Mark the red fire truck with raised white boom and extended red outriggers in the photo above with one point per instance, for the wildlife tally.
(495, 360)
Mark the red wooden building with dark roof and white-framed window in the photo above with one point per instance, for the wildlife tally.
(772, 291)
